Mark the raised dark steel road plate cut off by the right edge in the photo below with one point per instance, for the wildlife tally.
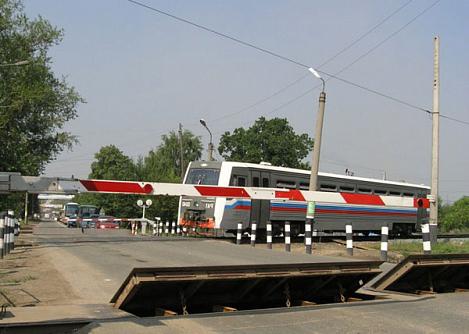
(427, 274)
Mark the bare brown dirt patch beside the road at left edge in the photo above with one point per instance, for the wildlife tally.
(28, 278)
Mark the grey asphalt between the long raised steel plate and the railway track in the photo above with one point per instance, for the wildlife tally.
(97, 262)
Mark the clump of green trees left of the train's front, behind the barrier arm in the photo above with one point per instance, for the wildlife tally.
(161, 165)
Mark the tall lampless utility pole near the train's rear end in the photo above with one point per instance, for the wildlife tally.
(435, 141)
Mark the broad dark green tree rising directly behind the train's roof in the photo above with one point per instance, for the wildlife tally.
(272, 141)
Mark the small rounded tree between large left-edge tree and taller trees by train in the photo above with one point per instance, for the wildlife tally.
(112, 164)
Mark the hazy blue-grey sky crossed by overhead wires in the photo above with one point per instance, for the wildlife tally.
(142, 73)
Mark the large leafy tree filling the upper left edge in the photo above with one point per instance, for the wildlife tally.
(34, 103)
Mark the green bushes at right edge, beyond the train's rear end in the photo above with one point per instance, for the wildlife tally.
(455, 217)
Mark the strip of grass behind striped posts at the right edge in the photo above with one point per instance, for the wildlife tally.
(415, 247)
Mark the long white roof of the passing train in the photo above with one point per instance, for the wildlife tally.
(305, 172)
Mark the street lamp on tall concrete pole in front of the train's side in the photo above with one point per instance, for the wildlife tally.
(313, 180)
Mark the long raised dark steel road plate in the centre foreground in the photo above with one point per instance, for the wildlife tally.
(190, 290)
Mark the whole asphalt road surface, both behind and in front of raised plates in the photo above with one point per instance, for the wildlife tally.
(95, 263)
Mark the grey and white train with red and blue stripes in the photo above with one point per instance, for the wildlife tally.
(220, 216)
